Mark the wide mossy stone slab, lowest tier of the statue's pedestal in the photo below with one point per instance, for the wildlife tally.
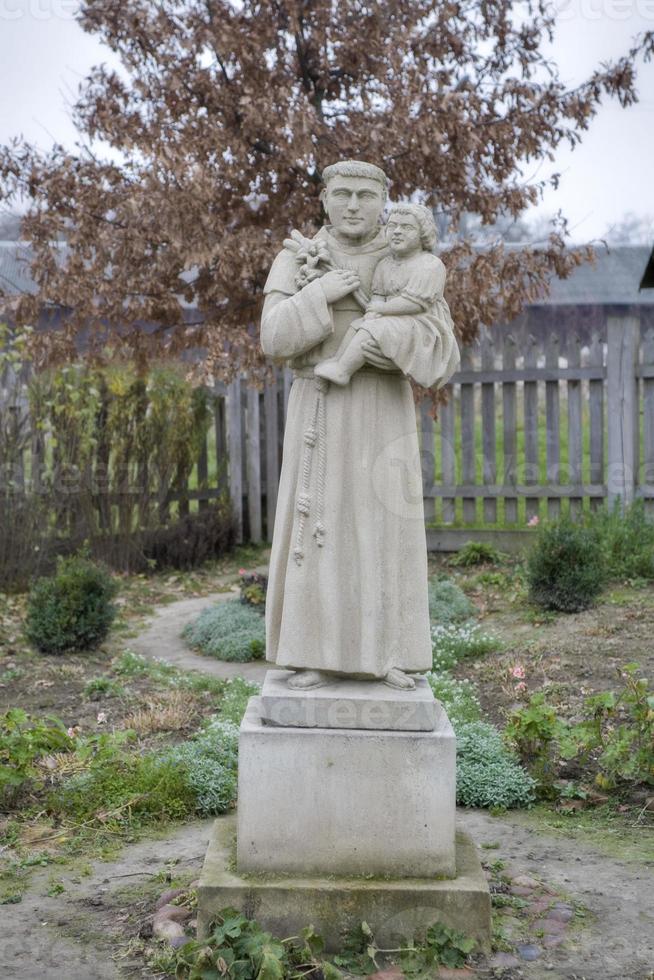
(395, 909)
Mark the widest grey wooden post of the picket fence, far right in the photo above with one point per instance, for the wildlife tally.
(622, 407)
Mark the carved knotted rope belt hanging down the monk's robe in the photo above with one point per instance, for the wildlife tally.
(315, 435)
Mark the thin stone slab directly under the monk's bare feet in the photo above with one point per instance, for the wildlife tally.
(348, 704)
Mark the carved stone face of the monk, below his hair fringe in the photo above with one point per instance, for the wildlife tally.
(354, 206)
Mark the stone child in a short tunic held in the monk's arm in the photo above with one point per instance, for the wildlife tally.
(408, 315)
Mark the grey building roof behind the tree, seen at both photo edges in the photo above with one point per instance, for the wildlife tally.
(614, 279)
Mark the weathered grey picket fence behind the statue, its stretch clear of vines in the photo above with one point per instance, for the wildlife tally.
(526, 433)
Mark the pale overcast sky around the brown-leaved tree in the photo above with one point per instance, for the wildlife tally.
(44, 55)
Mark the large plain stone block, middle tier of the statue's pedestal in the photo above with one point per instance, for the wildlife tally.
(337, 801)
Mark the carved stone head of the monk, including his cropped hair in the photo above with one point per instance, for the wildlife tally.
(354, 196)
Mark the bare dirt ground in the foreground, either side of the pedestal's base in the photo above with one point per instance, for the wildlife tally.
(90, 930)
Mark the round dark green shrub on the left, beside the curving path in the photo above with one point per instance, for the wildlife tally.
(72, 610)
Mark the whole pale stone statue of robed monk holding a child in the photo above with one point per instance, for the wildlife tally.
(347, 593)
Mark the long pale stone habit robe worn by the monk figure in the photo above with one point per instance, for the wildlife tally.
(347, 590)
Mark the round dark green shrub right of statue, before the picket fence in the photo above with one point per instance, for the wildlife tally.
(565, 570)
